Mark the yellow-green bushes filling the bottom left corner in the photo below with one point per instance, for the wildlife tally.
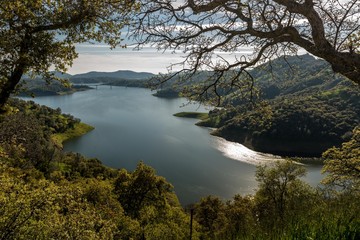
(40, 208)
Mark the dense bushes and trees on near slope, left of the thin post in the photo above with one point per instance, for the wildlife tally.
(80, 198)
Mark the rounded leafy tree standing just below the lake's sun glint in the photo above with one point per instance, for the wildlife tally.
(281, 194)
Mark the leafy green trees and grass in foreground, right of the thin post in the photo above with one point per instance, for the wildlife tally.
(284, 207)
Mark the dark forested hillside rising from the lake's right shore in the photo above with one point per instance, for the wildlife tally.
(304, 109)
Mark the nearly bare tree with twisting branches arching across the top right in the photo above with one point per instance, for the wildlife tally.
(214, 35)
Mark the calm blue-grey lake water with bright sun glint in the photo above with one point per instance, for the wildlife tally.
(131, 125)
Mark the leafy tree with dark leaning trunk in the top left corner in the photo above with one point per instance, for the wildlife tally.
(38, 34)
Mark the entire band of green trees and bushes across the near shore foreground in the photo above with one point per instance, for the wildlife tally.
(49, 194)
